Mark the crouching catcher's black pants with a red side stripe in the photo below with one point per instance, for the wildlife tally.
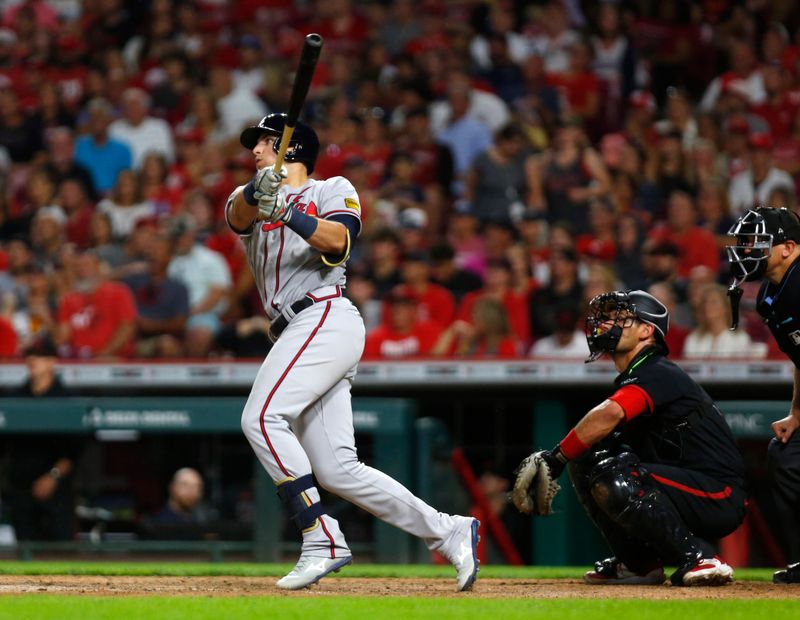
(709, 509)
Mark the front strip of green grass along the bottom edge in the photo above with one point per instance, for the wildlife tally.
(387, 608)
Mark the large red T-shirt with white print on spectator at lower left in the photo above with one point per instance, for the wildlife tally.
(95, 317)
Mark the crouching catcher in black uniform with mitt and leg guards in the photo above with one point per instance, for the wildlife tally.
(655, 464)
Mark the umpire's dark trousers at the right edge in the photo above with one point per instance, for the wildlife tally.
(784, 474)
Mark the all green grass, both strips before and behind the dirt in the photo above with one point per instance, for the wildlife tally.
(322, 605)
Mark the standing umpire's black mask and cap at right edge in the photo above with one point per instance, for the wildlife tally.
(756, 233)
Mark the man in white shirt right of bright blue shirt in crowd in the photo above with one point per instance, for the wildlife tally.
(142, 132)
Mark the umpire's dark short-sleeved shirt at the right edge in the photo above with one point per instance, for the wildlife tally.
(778, 305)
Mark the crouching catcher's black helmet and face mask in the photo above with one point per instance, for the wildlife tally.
(610, 313)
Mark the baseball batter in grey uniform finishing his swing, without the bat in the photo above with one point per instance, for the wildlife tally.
(298, 417)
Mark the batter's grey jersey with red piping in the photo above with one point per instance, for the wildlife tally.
(284, 265)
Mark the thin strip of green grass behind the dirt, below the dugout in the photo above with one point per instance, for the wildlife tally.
(186, 569)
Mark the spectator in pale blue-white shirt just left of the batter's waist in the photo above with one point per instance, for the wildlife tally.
(207, 278)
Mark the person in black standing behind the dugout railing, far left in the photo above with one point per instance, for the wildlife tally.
(40, 468)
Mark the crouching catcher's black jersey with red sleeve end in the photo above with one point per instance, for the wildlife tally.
(670, 419)
